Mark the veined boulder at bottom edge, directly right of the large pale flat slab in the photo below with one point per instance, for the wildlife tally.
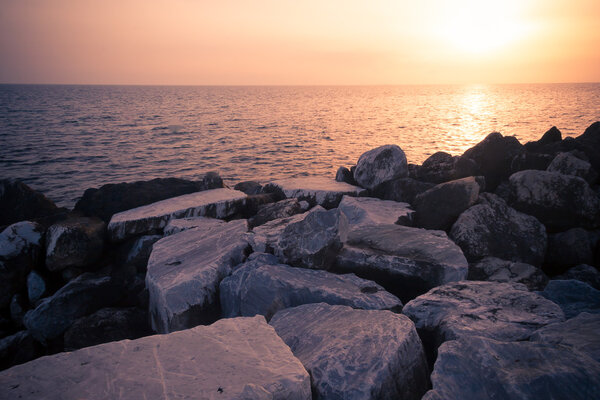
(355, 354)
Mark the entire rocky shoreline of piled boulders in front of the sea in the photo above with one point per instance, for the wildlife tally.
(466, 277)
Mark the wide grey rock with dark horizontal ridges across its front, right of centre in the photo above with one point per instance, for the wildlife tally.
(405, 261)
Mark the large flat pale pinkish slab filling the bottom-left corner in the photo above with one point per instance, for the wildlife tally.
(206, 362)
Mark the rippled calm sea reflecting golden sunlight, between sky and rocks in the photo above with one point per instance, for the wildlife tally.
(63, 139)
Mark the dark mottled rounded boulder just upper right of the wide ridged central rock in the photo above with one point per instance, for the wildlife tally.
(491, 228)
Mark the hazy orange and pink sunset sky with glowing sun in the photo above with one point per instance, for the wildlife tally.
(299, 42)
